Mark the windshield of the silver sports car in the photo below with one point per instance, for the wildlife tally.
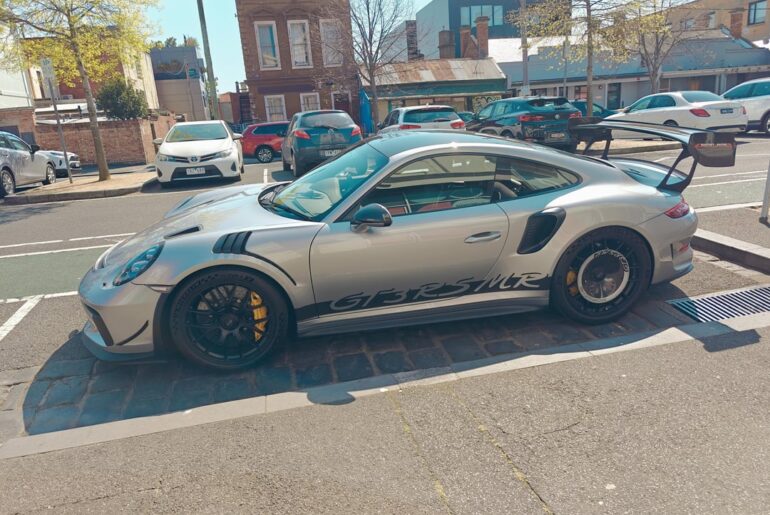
(314, 195)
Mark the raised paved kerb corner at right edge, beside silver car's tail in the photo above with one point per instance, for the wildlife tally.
(735, 235)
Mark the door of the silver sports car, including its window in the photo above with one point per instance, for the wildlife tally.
(445, 238)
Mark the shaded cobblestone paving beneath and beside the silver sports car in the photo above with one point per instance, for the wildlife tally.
(80, 391)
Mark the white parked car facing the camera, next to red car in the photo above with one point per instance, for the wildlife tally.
(198, 150)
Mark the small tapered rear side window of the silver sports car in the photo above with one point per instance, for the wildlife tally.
(517, 178)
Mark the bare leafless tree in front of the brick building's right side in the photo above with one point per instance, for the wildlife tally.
(377, 28)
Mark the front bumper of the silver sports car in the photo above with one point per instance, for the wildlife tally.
(121, 319)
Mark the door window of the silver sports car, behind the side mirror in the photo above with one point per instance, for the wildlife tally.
(437, 183)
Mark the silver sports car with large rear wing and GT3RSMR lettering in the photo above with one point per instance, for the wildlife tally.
(405, 228)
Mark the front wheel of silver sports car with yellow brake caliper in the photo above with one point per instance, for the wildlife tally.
(229, 295)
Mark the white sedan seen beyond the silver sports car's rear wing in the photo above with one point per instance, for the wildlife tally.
(694, 109)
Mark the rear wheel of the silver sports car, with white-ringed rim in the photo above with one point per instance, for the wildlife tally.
(615, 251)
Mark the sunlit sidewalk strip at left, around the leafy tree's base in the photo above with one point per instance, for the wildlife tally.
(84, 187)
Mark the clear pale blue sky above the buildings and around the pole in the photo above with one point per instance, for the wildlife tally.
(180, 17)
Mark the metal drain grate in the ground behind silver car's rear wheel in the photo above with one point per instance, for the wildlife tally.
(720, 306)
